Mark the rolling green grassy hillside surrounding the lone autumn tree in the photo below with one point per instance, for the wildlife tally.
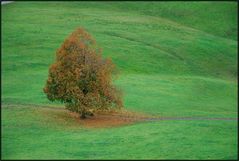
(176, 59)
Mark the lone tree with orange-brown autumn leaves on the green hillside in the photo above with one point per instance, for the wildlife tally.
(81, 78)
